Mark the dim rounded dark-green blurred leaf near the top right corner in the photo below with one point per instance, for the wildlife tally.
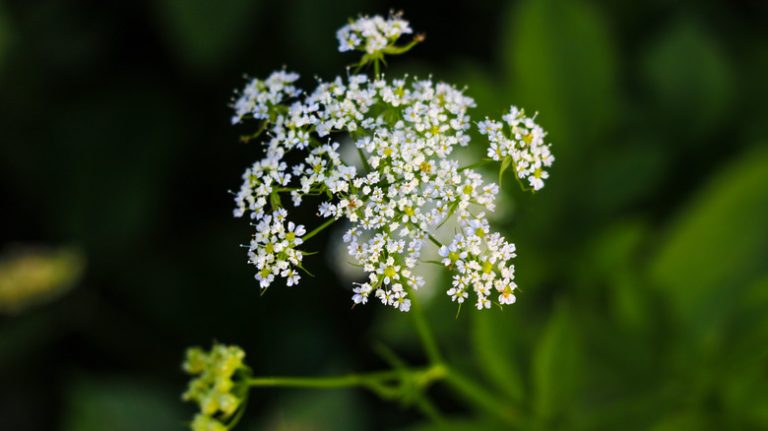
(689, 80)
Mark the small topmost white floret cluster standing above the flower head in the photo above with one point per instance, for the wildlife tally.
(371, 34)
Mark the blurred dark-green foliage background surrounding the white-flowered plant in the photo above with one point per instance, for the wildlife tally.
(643, 264)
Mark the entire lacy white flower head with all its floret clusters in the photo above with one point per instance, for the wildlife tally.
(405, 131)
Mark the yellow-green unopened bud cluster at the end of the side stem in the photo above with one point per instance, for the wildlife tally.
(213, 388)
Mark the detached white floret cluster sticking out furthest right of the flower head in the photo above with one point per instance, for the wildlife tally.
(524, 147)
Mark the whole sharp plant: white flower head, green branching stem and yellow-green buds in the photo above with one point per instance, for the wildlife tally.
(404, 131)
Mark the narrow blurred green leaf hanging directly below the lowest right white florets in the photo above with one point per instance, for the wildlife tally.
(493, 340)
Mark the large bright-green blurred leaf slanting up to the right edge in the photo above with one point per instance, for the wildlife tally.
(717, 246)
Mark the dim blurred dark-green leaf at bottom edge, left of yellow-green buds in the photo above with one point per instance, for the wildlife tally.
(120, 404)
